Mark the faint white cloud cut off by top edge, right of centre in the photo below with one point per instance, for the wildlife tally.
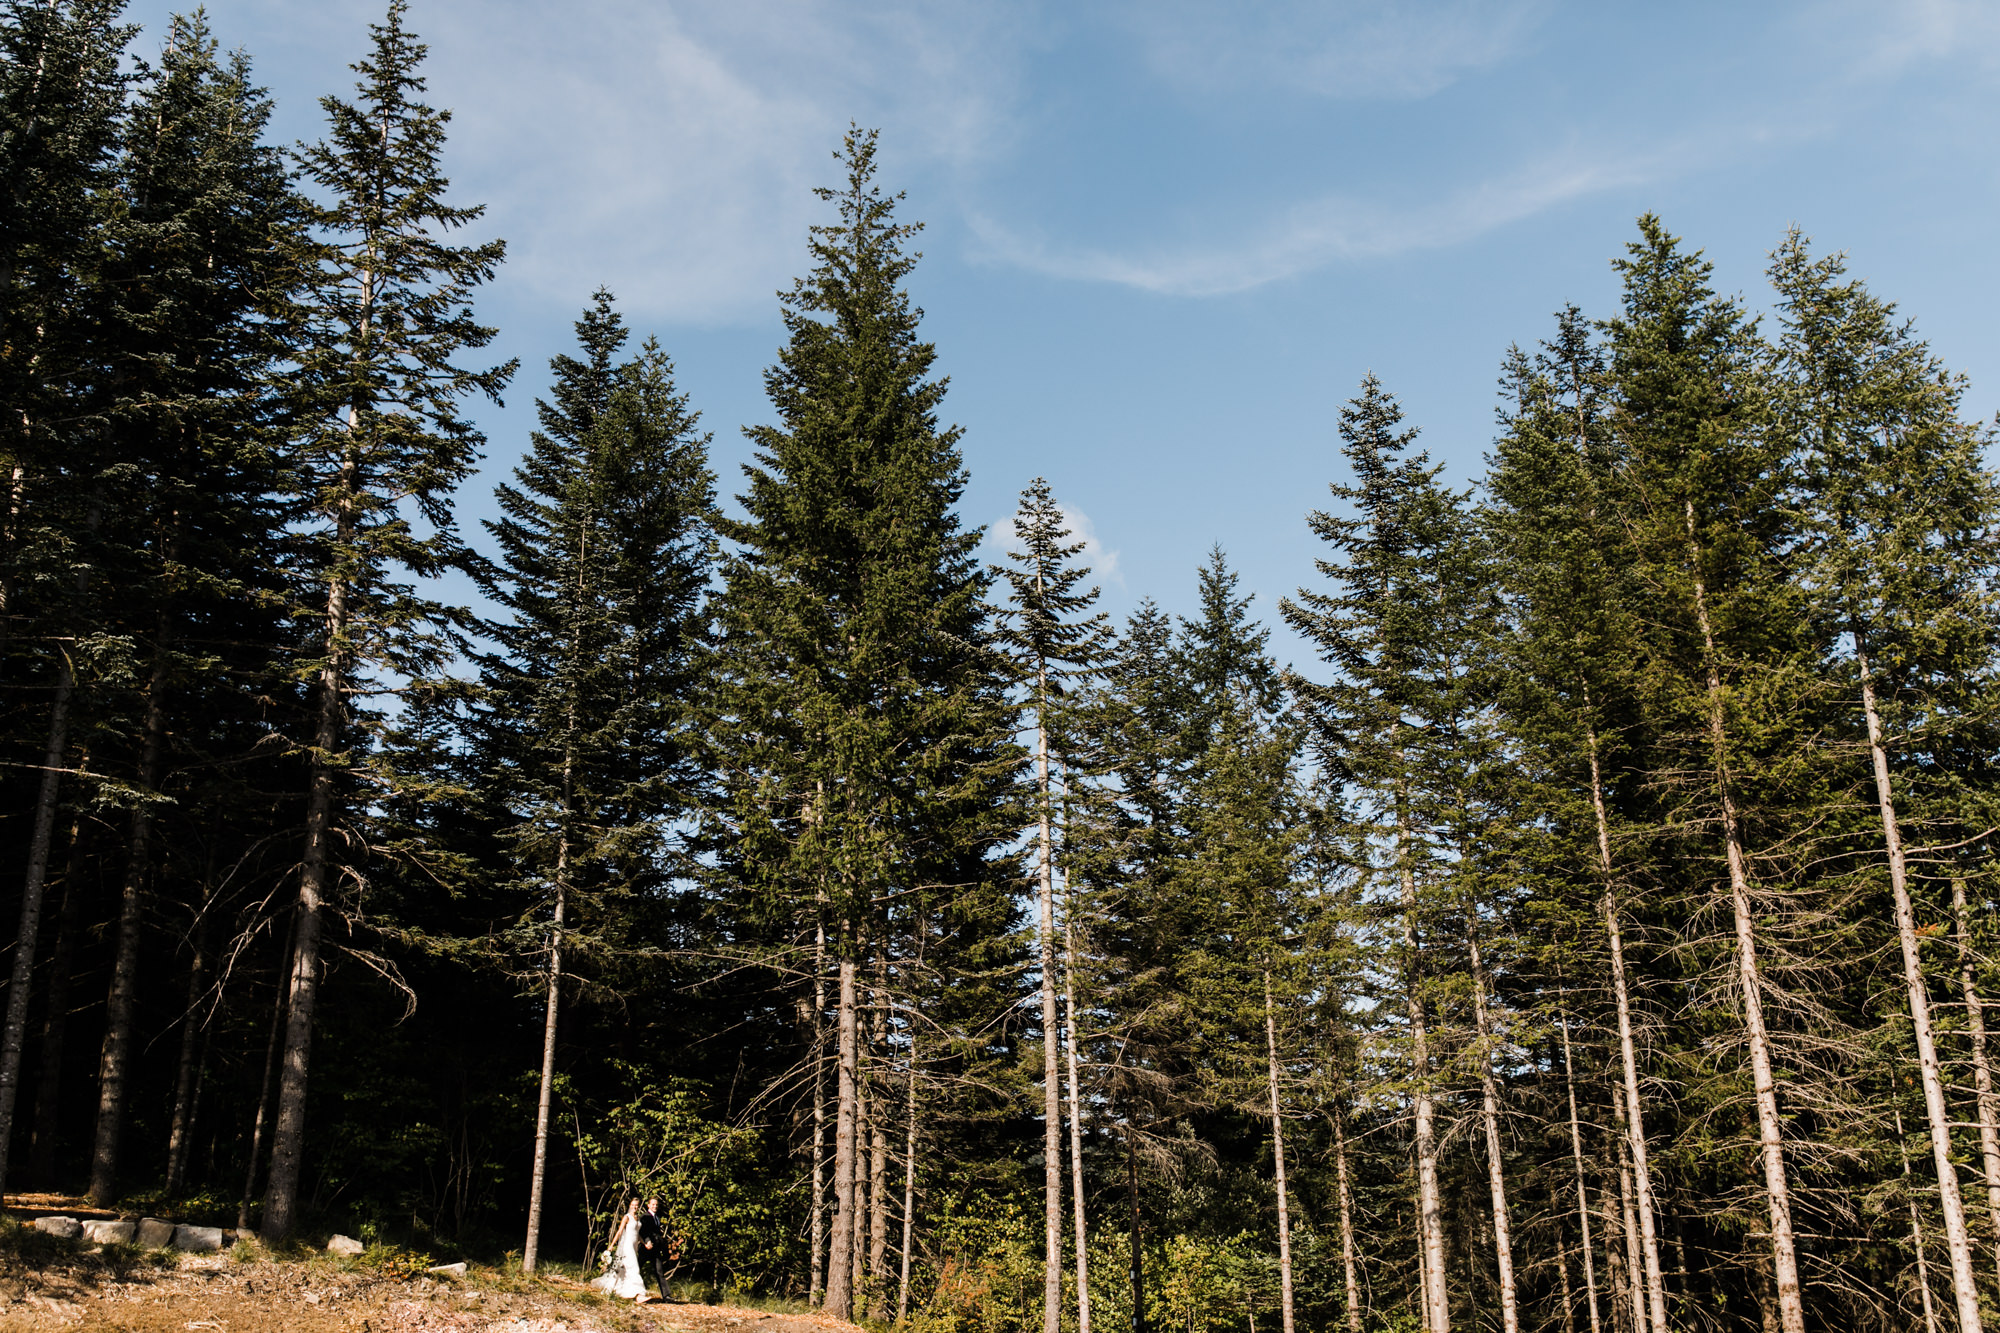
(1343, 49)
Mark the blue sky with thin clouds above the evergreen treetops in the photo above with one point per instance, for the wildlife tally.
(1167, 239)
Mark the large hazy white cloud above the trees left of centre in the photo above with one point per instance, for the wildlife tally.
(673, 149)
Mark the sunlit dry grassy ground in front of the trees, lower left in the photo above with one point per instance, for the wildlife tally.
(51, 1286)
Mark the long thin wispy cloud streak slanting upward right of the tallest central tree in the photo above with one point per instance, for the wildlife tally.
(1337, 227)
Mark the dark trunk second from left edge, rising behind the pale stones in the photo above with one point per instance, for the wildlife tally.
(123, 998)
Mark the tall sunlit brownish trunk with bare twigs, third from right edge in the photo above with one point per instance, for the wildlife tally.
(1771, 1136)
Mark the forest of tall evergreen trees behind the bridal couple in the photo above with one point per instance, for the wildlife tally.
(1591, 938)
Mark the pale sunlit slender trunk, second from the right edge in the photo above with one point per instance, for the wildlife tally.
(1957, 1244)
